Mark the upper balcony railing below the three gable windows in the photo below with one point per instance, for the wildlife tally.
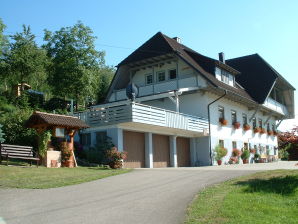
(157, 88)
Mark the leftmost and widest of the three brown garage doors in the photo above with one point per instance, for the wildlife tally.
(134, 145)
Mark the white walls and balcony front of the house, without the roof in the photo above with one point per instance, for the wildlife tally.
(153, 114)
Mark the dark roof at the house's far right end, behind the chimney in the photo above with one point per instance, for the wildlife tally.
(257, 76)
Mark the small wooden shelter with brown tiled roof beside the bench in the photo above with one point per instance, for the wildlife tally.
(60, 125)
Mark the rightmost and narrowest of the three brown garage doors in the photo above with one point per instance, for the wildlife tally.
(183, 152)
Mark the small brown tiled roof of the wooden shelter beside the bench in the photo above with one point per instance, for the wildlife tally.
(41, 118)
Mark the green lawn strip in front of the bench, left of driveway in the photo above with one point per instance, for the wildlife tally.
(41, 177)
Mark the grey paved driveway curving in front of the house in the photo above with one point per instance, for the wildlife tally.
(142, 196)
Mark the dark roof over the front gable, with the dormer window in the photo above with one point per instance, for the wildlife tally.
(161, 44)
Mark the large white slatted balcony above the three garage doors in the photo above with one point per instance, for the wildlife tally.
(135, 115)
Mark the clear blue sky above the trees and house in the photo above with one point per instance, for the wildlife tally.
(238, 28)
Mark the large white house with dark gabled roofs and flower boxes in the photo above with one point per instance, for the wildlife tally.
(182, 95)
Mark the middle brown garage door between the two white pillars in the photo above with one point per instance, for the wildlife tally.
(161, 151)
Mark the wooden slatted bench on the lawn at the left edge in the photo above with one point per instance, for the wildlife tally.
(18, 152)
